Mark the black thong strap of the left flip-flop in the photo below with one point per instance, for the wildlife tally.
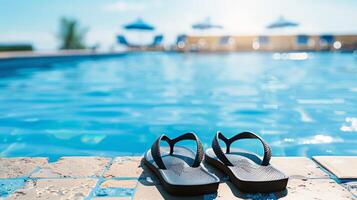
(156, 154)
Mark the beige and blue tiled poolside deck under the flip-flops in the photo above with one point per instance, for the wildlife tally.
(125, 178)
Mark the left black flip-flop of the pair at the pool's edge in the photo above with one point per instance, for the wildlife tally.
(179, 169)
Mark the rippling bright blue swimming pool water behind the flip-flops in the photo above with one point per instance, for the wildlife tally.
(302, 104)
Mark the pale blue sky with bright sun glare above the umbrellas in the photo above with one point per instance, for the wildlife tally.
(37, 21)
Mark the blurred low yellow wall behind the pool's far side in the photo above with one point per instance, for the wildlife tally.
(275, 43)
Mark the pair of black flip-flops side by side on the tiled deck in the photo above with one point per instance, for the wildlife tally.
(181, 171)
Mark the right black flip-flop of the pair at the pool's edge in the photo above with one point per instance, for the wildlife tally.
(245, 169)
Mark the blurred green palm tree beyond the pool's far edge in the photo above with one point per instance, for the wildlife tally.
(71, 35)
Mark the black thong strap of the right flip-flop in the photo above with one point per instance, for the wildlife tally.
(244, 135)
